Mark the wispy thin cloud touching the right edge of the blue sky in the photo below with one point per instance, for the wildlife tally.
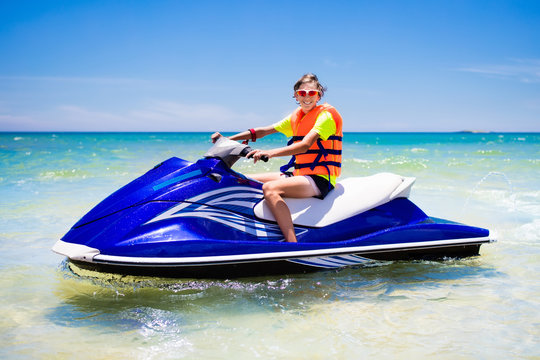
(523, 70)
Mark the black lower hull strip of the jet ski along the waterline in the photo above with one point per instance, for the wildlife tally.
(237, 268)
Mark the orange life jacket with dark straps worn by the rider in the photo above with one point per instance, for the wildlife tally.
(324, 156)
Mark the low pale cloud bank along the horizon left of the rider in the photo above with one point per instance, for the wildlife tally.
(157, 116)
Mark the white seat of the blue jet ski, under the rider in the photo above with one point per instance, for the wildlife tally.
(351, 196)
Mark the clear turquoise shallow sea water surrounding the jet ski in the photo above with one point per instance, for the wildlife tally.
(484, 307)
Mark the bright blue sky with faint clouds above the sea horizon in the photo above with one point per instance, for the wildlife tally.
(229, 65)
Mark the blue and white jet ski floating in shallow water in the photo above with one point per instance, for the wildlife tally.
(205, 220)
